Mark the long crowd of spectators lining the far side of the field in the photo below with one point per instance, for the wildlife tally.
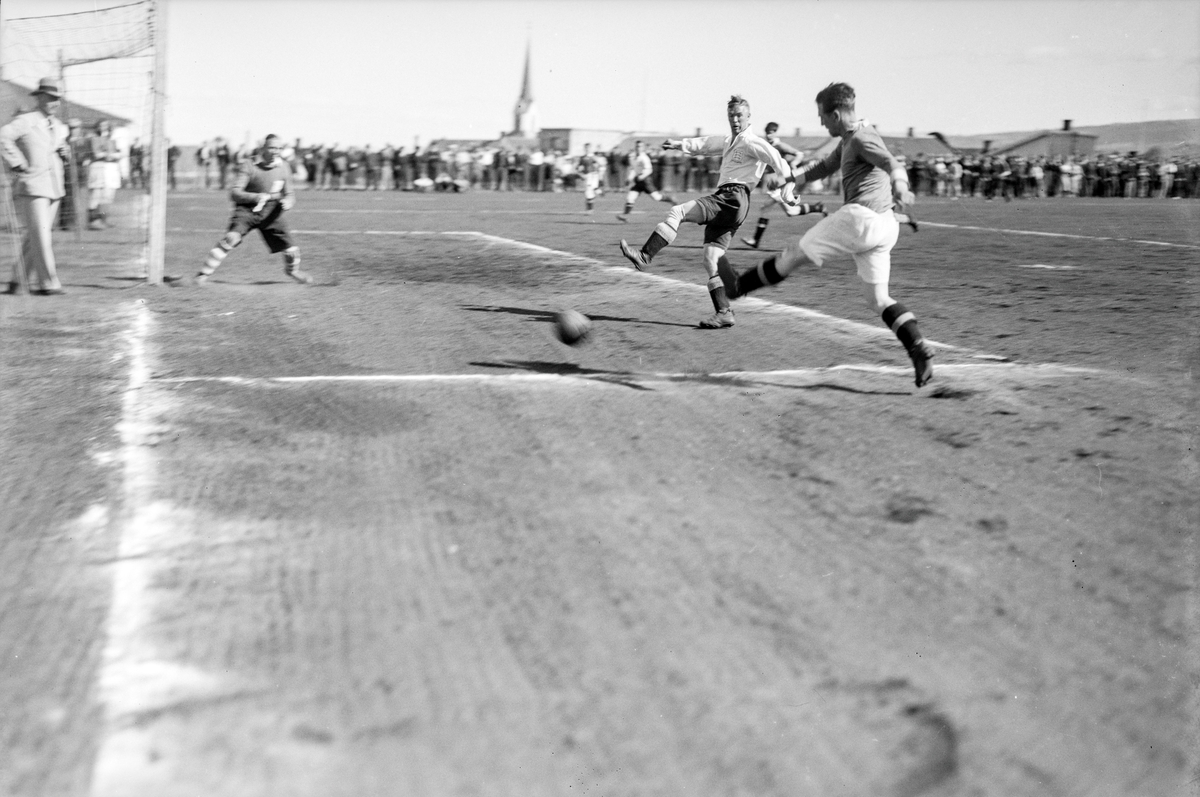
(490, 169)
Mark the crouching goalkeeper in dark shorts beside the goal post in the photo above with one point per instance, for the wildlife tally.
(262, 193)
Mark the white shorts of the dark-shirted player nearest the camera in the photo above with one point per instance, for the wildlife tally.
(860, 232)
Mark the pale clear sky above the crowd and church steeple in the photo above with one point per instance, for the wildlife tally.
(403, 71)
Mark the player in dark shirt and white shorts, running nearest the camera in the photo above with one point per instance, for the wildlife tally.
(866, 229)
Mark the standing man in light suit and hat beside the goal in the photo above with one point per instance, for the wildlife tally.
(33, 147)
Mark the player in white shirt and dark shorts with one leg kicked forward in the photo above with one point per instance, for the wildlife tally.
(745, 159)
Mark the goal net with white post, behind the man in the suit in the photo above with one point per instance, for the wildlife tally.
(109, 65)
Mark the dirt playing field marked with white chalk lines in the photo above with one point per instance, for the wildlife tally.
(386, 536)
